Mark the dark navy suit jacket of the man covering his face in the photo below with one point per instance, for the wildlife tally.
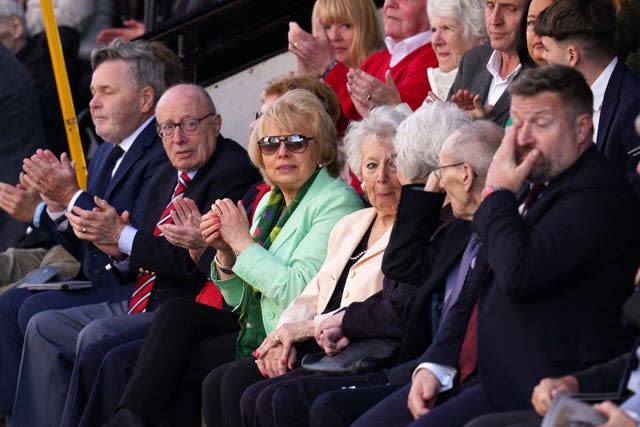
(550, 285)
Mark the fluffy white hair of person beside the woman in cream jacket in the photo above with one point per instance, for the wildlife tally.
(420, 137)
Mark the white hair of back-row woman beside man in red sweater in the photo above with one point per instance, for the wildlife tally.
(470, 13)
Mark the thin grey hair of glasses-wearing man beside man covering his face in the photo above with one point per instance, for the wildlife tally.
(475, 144)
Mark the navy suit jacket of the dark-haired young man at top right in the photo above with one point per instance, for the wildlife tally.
(616, 130)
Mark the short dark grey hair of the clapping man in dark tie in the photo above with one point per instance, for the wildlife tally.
(145, 68)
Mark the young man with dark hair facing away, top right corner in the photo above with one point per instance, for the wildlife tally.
(581, 34)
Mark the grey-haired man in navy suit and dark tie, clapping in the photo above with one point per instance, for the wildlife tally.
(127, 81)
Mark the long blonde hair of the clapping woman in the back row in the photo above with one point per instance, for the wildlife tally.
(367, 35)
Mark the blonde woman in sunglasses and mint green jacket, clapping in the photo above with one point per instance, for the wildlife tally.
(260, 268)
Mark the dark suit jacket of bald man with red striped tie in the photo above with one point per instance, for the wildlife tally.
(228, 173)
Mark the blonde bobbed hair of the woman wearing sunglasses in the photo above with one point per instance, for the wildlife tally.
(293, 110)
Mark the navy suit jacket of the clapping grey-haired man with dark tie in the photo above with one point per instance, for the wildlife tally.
(127, 190)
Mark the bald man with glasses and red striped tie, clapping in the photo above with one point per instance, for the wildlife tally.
(204, 167)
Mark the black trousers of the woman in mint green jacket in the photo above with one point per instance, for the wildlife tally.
(186, 341)
